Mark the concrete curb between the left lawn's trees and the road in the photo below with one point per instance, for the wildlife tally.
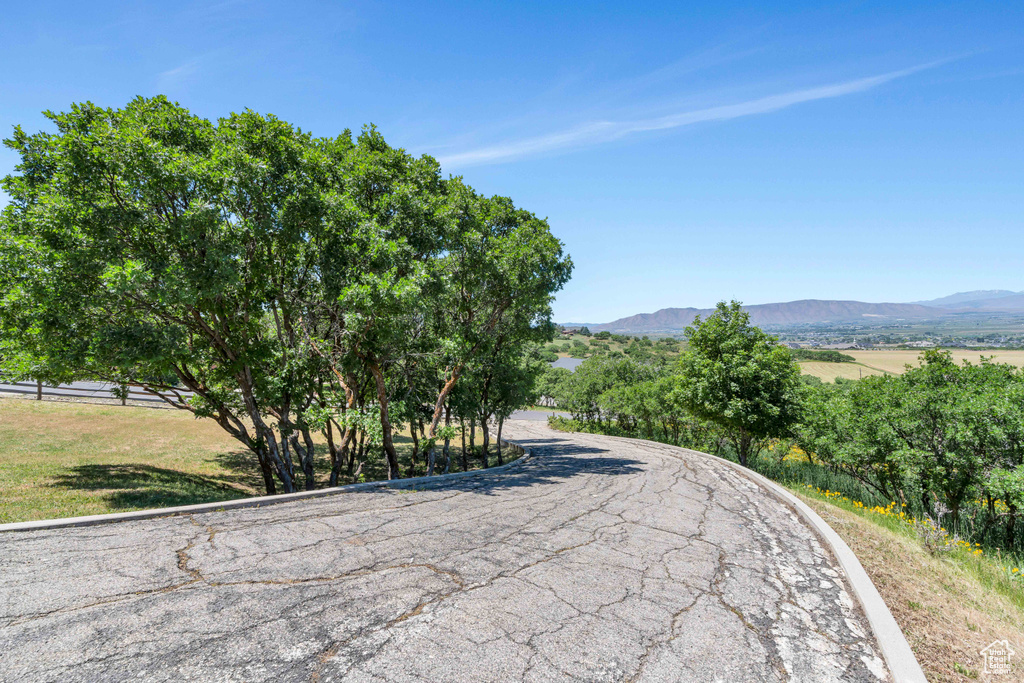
(413, 483)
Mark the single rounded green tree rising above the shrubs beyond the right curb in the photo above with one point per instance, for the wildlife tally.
(736, 375)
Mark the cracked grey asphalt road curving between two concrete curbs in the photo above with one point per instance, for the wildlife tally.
(599, 560)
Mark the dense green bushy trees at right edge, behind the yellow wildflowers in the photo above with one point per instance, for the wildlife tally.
(948, 435)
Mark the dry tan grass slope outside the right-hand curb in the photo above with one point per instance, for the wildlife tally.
(950, 607)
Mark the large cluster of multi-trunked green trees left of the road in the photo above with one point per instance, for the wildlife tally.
(293, 285)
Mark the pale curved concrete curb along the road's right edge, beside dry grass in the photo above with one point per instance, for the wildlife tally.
(901, 659)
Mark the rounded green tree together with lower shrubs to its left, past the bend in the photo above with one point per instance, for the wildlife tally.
(733, 387)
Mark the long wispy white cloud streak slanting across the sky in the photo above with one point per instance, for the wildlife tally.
(599, 133)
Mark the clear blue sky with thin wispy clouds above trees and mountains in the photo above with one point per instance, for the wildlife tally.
(685, 153)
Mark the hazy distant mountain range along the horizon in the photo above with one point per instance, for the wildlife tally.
(825, 311)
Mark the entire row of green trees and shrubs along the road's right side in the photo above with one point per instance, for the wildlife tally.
(941, 438)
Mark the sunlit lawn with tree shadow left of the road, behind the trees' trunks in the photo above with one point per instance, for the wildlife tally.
(71, 459)
